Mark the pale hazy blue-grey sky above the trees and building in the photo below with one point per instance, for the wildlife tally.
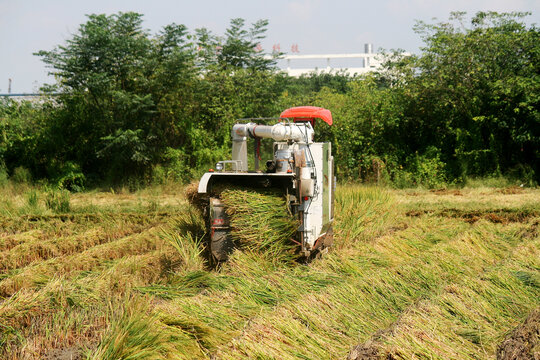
(317, 26)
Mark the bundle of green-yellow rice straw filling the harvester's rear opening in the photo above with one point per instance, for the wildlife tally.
(261, 221)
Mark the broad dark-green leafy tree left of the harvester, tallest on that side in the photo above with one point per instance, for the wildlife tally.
(120, 87)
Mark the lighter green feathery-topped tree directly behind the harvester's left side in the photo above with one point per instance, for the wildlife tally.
(239, 81)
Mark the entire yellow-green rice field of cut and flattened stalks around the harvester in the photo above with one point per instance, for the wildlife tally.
(413, 274)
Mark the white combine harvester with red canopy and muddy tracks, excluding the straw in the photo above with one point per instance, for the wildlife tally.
(300, 168)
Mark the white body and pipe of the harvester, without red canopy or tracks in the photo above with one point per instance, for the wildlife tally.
(303, 168)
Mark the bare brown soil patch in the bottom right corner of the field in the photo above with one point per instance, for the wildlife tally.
(524, 341)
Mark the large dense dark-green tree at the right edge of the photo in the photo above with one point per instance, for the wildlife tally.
(473, 93)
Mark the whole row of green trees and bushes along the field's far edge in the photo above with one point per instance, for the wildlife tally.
(141, 107)
